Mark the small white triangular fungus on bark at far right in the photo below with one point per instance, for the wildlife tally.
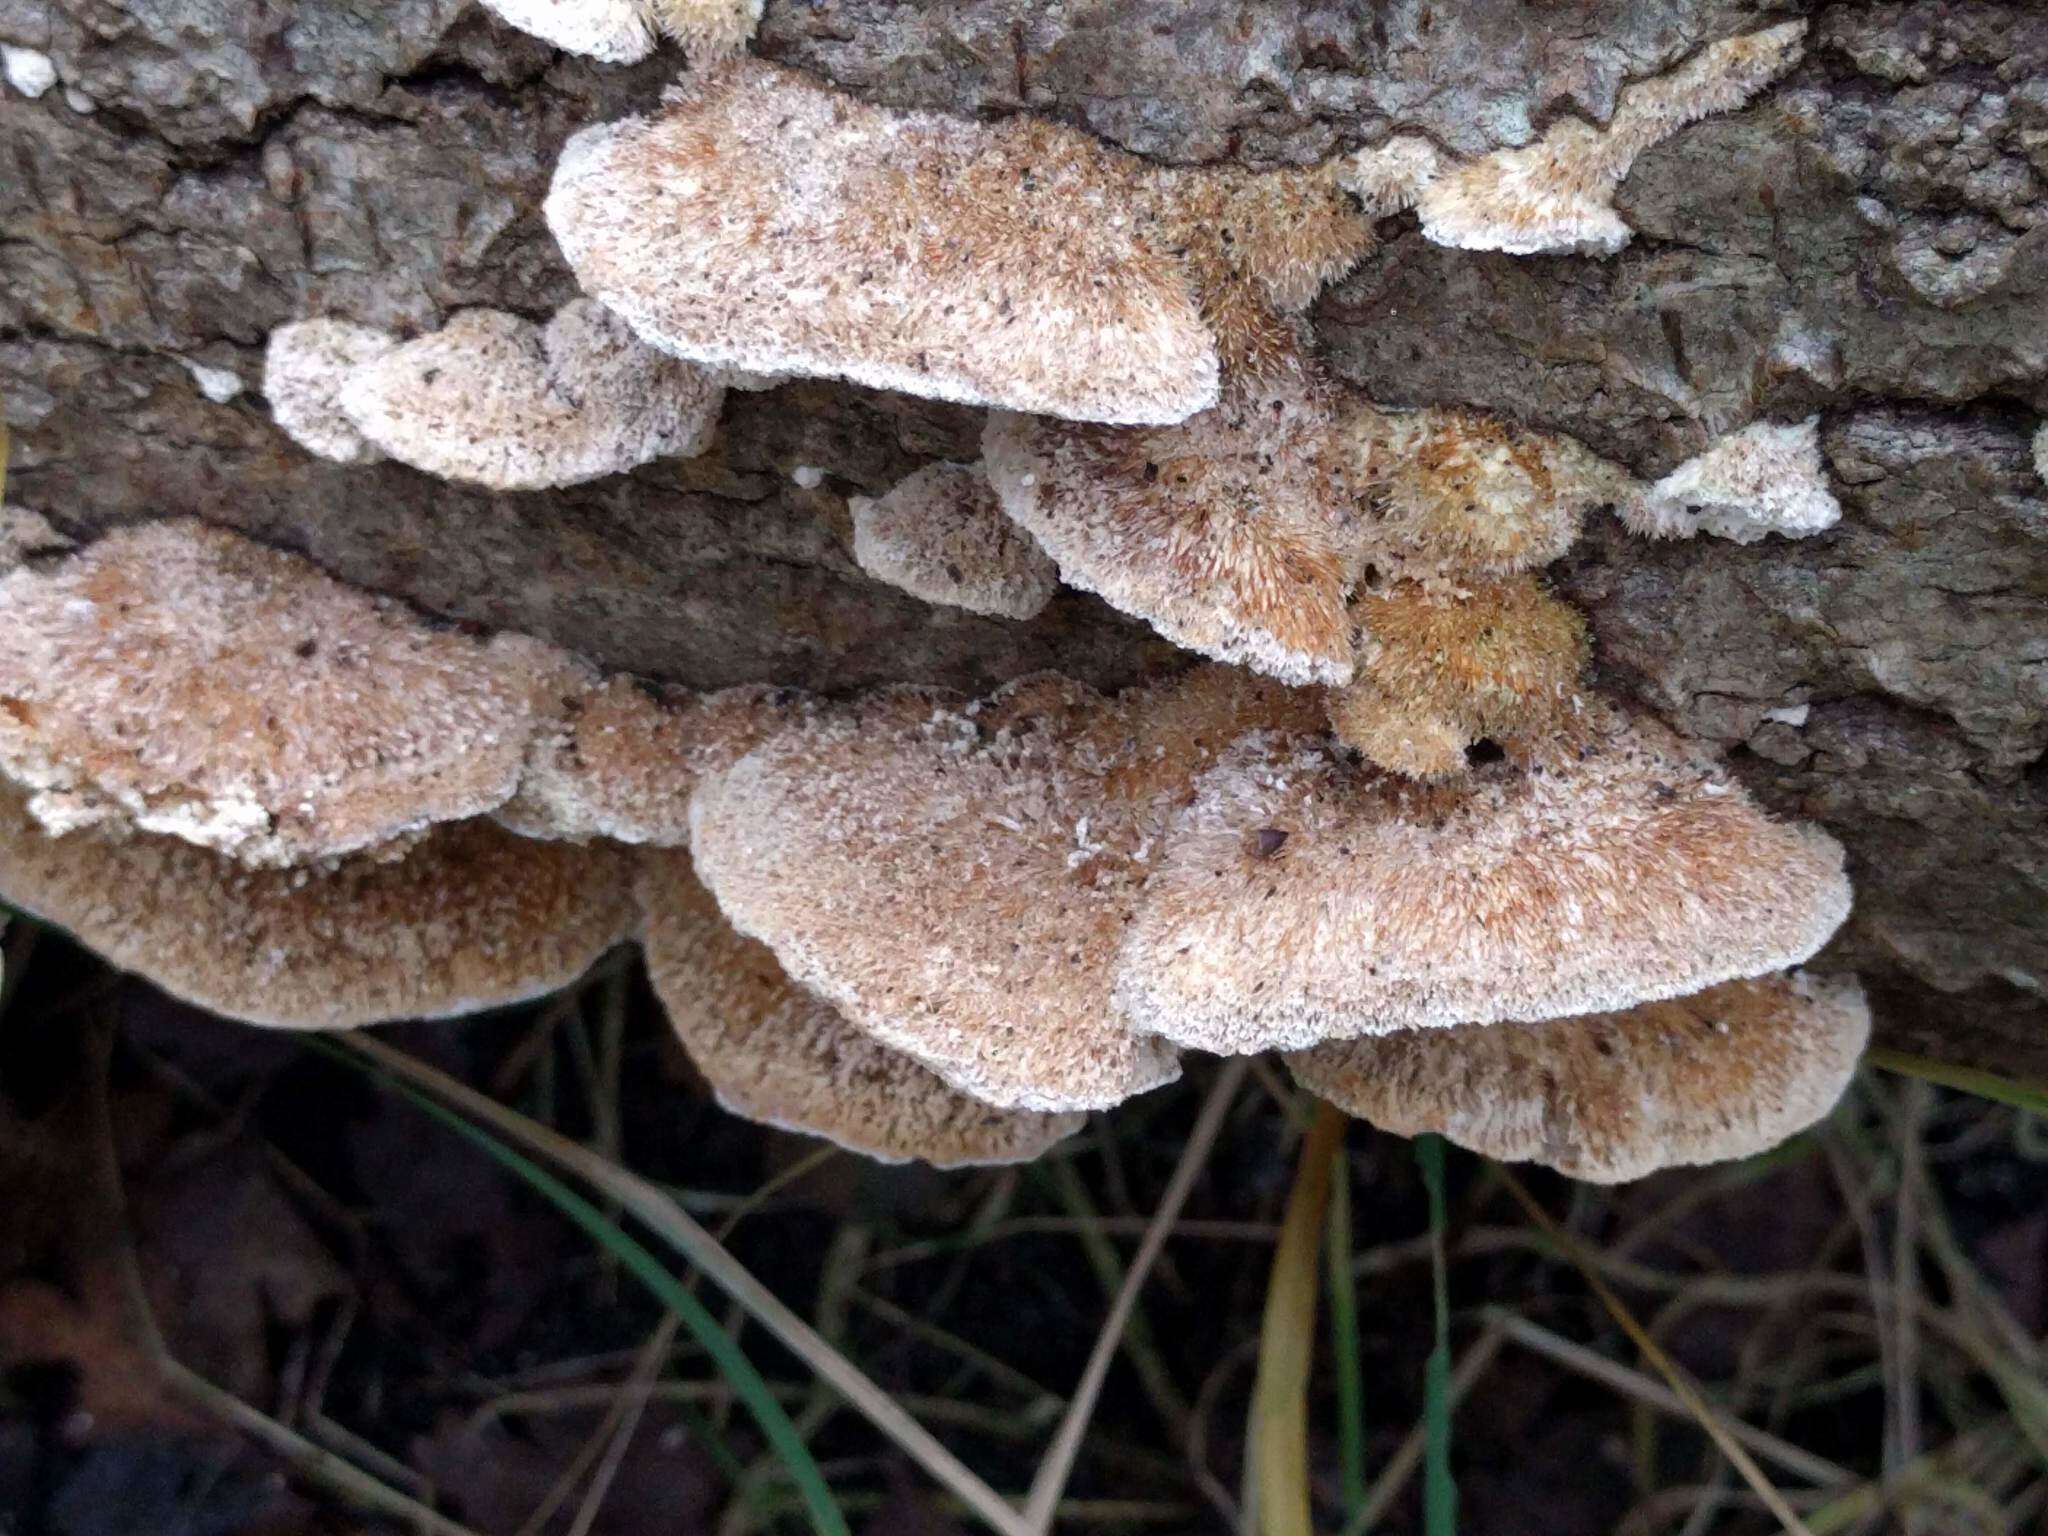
(1768, 478)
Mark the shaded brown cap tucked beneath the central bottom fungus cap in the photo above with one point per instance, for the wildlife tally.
(785, 1058)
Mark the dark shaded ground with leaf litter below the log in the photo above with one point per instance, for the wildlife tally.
(345, 1267)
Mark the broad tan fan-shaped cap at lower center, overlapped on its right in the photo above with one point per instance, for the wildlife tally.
(955, 880)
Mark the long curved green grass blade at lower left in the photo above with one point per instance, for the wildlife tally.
(646, 1269)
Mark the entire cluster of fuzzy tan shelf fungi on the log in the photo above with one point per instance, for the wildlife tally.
(1383, 826)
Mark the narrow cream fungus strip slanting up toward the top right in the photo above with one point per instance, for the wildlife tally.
(1558, 196)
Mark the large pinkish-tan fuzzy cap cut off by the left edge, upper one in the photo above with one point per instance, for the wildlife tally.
(187, 681)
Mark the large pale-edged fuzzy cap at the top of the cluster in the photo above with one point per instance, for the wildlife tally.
(771, 224)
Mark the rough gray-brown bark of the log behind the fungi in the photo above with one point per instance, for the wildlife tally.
(1867, 243)
